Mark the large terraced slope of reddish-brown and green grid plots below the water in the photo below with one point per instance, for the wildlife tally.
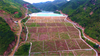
(52, 36)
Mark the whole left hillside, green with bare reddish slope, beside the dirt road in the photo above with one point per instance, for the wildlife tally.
(9, 11)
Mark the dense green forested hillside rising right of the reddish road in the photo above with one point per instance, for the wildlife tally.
(87, 14)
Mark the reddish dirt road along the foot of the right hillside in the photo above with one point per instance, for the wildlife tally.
(77, 25)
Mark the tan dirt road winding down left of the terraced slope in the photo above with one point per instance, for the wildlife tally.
(19, 33)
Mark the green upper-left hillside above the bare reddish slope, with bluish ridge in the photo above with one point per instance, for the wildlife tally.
(13, 6)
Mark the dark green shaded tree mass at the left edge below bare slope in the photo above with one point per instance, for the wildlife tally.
(6, 36)
